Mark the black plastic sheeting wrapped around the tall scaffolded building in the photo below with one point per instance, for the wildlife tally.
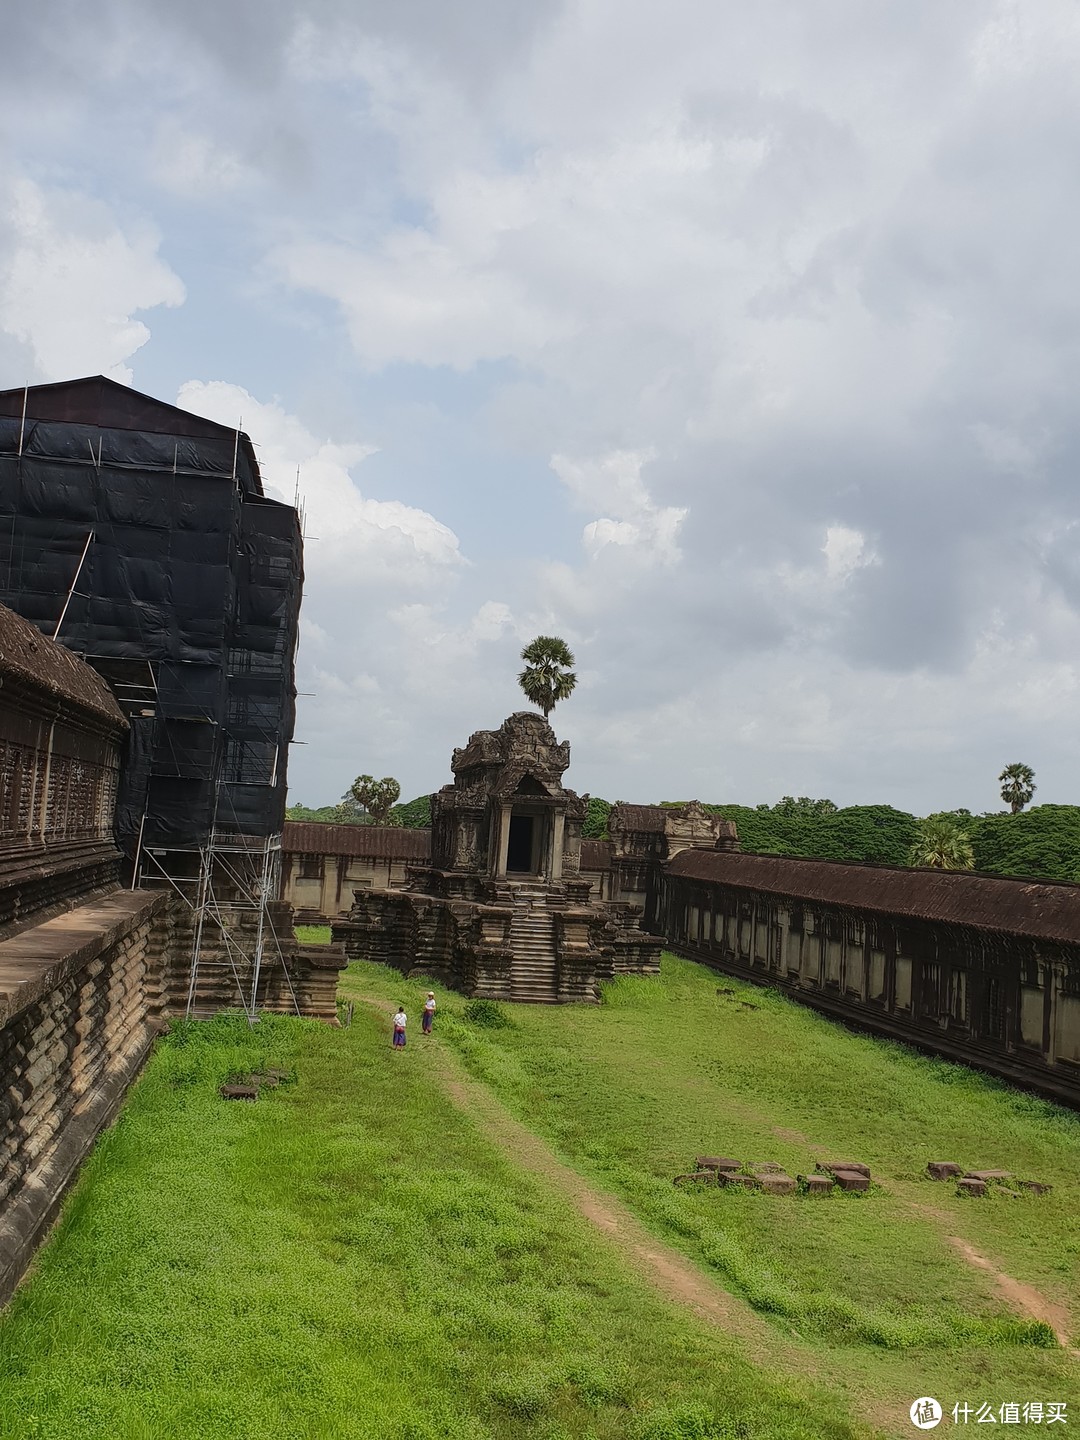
(191, 570)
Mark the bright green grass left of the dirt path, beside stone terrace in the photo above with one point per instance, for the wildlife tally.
(351, 1258)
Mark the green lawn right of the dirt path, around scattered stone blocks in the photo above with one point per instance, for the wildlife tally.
(630, 1092)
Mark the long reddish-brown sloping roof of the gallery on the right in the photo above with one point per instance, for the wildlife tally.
(1045, 909)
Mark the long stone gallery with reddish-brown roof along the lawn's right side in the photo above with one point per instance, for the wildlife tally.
(974, 968)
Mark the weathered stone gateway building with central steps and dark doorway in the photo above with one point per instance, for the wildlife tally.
(503, 911)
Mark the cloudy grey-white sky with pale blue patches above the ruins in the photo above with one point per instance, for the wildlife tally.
(735, 343)
